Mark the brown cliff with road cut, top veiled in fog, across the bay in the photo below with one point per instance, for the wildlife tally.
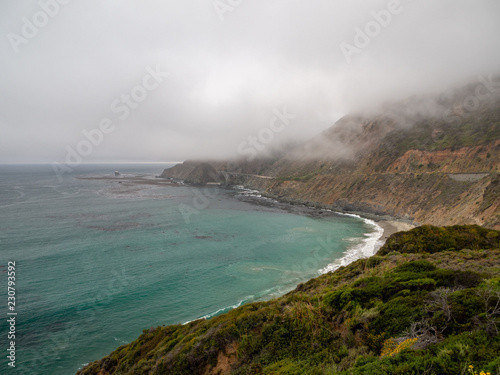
(419, 166)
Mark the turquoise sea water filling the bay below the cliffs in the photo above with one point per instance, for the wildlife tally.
(98, 261)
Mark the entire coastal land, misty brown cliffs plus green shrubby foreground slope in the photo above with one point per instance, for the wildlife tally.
(427, 303)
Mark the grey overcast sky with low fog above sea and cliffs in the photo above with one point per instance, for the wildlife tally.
(232, 65)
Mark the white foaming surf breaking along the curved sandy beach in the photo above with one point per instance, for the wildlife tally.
(366, 248)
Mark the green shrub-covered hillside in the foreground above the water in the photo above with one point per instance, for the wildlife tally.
(428, 303)
